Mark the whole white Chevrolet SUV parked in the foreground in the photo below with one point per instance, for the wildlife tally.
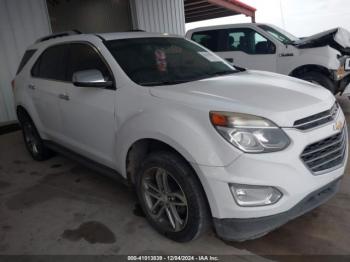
(201, 141)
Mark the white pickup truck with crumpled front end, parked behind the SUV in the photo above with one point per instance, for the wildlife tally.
(323, 58)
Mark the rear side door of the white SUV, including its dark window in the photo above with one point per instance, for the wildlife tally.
(47, 84)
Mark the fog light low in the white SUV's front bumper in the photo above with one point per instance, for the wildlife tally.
(249, 195)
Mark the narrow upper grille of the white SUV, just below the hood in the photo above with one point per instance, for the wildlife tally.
(317, 119)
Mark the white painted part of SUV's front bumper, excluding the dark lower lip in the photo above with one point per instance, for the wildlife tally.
(283, 170)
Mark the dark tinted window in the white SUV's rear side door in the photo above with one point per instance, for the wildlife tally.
(52, 64)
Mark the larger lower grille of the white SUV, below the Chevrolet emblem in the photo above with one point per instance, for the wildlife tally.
(325, 154)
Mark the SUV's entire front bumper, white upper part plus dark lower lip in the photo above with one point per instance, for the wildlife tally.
(283, 170)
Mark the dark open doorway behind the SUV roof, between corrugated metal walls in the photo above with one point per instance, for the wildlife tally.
(90, 16)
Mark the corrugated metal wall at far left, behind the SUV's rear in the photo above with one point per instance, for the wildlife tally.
(21, 23)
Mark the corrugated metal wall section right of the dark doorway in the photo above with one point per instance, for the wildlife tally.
(164, 16)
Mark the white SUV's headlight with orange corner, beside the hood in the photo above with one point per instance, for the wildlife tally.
(249, 133)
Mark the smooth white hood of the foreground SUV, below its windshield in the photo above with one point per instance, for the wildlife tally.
(279, 98)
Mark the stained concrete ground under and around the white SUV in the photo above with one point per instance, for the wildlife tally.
(60, 207)
